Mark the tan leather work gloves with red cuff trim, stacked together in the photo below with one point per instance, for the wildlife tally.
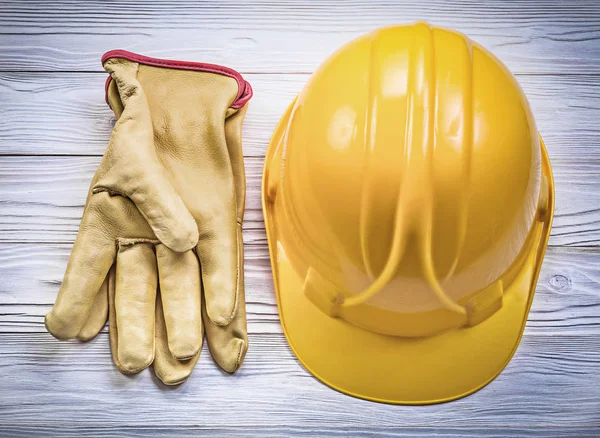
(160, 246)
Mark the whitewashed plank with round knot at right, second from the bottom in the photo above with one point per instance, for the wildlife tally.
(567, 300)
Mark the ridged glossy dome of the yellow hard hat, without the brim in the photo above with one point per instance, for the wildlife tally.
(410, 180)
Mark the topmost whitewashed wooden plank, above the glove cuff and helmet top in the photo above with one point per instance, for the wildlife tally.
(543, 36)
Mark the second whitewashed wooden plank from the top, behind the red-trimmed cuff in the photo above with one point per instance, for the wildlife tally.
(59, 113)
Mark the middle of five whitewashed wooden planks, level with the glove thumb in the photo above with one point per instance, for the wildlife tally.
(43, 199)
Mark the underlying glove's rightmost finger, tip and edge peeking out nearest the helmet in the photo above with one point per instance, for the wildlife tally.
(228, 344)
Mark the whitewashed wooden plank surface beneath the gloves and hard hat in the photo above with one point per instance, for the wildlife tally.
(54, 126)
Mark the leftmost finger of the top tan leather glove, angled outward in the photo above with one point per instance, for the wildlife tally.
(93, 254)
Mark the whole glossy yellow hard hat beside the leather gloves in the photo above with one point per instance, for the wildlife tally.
(408, 200)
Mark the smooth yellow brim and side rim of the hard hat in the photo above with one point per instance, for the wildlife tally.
(394, 369)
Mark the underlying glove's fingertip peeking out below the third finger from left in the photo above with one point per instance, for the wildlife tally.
(169, 370)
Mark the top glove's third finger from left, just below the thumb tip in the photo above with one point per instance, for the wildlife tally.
(179, 276)
